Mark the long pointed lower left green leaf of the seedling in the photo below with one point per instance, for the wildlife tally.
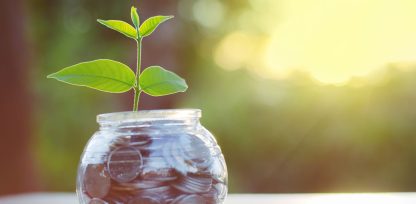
(103, 74)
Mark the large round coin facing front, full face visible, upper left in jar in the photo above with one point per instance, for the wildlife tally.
(124, 164)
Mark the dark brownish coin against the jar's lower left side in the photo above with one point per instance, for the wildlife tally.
(96, 180)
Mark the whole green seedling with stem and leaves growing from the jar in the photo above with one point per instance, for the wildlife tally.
(115, 77)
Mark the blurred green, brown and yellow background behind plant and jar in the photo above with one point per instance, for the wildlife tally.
(303, 96)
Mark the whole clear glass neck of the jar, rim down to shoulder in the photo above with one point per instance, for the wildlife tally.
(176, 118)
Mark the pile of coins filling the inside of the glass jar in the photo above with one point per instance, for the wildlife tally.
(164, 169)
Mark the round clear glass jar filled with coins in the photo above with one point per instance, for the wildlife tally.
(156, 156)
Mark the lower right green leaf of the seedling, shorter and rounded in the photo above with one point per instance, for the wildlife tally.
(157, 81)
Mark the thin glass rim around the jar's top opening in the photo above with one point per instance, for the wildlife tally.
(143, 115)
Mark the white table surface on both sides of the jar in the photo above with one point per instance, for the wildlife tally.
(362, 198)
